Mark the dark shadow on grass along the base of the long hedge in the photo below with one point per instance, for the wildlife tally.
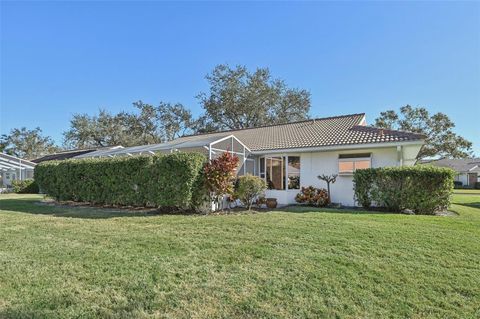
(31, 206)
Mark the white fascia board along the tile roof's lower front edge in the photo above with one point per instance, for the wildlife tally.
(338, 147)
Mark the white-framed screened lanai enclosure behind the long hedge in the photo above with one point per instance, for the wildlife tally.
(211, 146)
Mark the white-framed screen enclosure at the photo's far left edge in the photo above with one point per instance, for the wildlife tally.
(12, 168)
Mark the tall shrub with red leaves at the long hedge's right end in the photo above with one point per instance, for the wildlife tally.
(220, 175)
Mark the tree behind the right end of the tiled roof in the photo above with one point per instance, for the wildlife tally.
(441, 141)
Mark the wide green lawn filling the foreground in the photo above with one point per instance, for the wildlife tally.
(87, 263)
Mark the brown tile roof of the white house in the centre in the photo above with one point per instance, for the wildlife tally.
(330, 131)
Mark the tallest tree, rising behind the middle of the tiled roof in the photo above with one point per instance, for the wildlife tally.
(240, 99)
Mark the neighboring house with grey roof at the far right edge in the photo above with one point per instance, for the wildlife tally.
(468, 169)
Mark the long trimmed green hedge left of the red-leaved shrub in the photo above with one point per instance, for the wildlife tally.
(173, 180)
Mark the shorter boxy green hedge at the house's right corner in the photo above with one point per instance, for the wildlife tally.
(422, 189)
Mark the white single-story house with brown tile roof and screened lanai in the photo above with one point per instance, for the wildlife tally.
(289, 156)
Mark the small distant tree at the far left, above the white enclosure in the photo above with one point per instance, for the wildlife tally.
(27, 144)
